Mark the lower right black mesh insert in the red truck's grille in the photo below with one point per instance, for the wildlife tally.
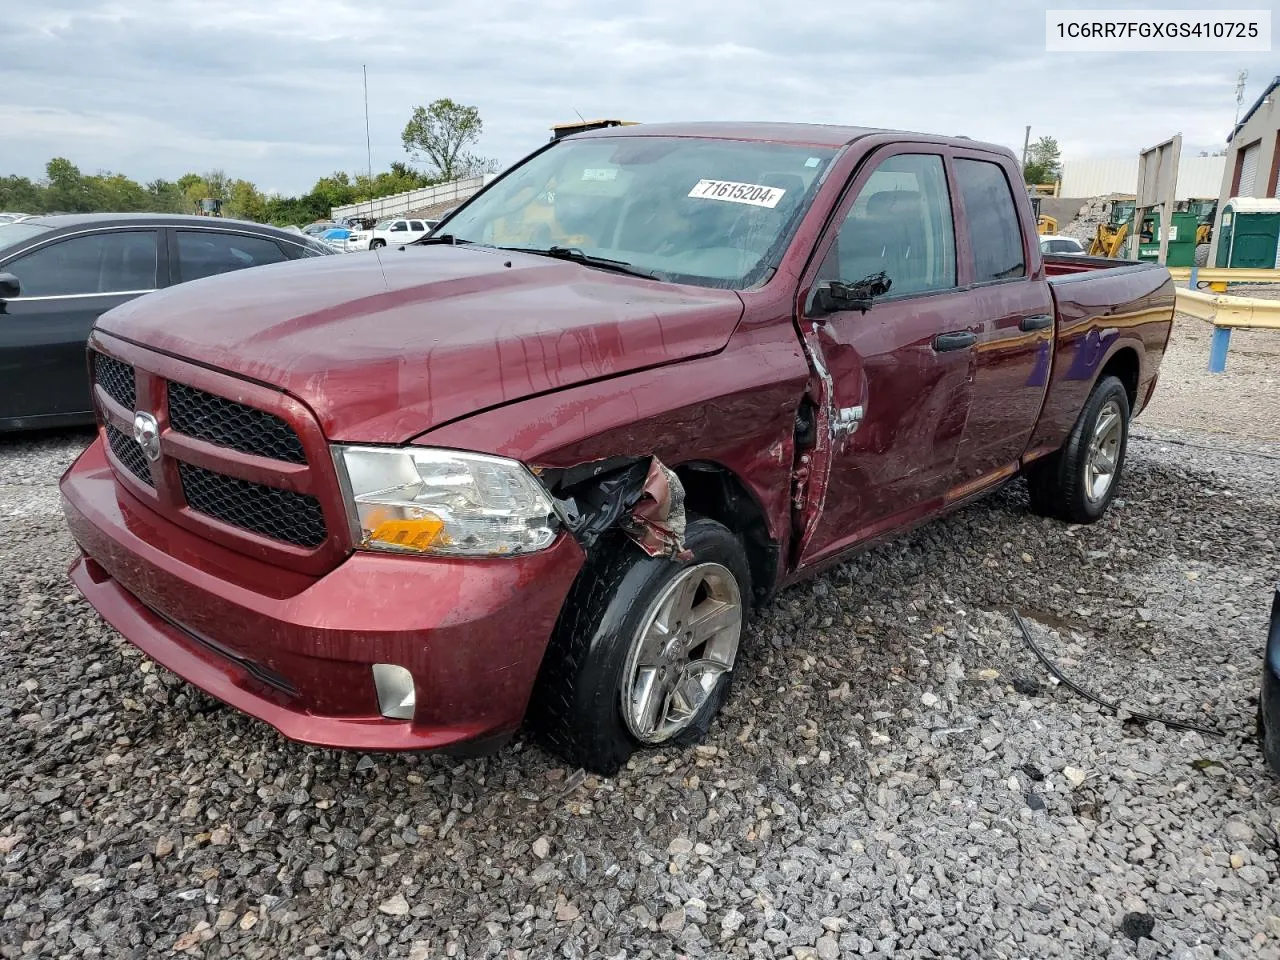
(282, 515)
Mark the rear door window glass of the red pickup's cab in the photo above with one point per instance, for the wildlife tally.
(991, 222)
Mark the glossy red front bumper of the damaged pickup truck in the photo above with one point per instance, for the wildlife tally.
(296, 651)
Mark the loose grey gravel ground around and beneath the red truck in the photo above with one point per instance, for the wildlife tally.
(895, 775)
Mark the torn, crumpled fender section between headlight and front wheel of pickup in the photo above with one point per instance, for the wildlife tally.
(639, 496)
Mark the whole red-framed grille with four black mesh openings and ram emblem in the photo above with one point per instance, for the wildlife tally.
(272, 428)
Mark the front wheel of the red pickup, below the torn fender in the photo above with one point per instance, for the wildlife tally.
(579, 710)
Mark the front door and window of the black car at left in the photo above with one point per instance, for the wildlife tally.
(66, 286)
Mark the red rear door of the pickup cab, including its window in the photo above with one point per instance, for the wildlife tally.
(1016, 314)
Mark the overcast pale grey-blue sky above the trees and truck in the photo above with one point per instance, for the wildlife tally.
(273, 92)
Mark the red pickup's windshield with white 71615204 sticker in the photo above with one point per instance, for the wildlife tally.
(716, 213)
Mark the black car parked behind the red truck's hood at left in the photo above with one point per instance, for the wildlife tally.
(58, 275)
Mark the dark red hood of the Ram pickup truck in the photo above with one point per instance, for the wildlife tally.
(385, 346)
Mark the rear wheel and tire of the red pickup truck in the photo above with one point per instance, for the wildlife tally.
(1063, 484)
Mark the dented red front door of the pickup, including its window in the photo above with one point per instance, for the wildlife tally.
(898, 378)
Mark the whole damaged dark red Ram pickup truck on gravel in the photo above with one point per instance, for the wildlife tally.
(542, 465)
